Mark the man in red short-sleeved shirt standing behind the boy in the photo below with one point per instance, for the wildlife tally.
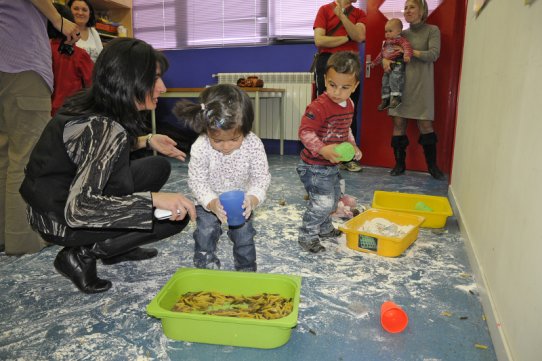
(338, 26)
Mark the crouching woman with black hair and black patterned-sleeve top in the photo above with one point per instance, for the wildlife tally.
(82, 190)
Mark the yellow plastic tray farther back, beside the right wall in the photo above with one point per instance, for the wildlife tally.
(406, 202)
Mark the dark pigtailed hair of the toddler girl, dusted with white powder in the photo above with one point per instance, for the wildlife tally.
(220, 107)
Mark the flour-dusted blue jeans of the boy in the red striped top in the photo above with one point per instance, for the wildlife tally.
(323, 186)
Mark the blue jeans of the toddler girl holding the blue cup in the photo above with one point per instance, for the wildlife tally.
(207, 234)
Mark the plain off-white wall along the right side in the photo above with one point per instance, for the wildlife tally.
(497, 169)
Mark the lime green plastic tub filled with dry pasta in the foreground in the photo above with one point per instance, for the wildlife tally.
(222, 330)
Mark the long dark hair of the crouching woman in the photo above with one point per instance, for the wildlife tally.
(124, 74)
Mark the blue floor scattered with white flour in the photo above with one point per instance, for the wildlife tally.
(44, 317)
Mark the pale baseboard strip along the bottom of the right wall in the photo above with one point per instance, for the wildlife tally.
(496, 329)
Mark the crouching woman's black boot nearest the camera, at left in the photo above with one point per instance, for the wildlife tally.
(79, 265)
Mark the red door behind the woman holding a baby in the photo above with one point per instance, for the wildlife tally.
(376, 127)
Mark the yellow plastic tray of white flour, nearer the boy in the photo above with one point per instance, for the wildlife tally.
(383, 245)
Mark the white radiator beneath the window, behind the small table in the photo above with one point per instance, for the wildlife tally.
(298, 95)
